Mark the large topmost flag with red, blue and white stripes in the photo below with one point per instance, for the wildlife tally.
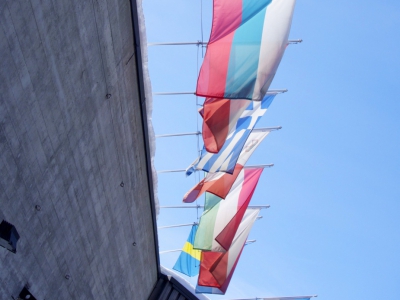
(246, 45)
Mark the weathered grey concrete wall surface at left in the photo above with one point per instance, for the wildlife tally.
(66, 147)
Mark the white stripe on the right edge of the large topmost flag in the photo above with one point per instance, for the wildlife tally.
(277, 22)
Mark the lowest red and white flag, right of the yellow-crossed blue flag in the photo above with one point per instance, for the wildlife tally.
(217, 268)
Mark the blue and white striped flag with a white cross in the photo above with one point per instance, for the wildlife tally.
(225, 160)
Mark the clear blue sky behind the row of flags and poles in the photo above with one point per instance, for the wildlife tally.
(333, 228)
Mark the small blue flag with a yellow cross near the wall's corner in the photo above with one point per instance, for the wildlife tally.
(189, 260)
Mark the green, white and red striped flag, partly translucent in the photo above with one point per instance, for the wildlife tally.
(221, 219)
